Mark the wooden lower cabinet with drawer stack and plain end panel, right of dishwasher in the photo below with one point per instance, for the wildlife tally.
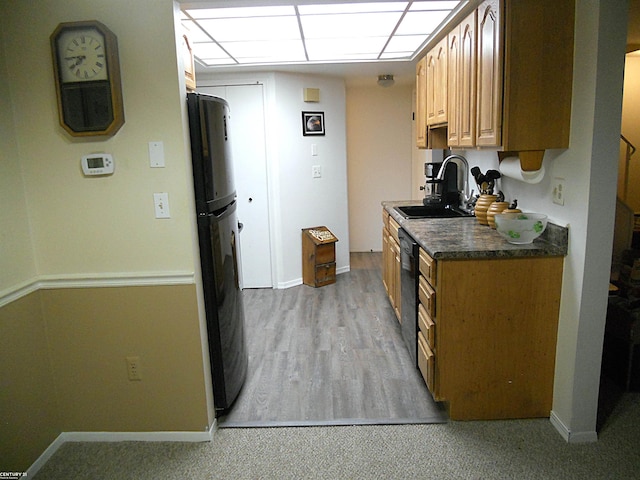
(487, 334)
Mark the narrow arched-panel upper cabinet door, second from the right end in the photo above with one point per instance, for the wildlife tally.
(467, 83)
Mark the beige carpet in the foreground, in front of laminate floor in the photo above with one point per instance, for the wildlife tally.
(523, 449)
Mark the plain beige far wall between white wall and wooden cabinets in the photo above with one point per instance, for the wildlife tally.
(379, 148)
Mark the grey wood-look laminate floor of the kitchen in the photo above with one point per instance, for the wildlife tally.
(329, 356)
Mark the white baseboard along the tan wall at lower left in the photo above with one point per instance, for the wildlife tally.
(64, 437)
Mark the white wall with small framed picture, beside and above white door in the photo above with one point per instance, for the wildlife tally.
(297, 200)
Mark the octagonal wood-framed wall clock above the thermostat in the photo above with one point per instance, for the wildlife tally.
(87, 75)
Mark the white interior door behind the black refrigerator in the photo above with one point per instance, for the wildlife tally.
(248, 146)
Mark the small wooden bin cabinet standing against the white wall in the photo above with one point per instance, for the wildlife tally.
(318, 256)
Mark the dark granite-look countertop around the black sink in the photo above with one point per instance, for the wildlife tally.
(464, 237)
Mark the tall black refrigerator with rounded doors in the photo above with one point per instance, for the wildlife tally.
(218, 239)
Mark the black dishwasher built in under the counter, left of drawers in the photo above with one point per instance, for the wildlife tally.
(409, 293)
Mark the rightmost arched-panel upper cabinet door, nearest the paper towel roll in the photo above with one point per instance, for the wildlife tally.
(489, 104)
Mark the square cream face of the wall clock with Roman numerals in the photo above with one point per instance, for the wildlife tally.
(82, 56)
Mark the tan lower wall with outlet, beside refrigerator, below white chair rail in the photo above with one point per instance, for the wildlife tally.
(92, 330)
